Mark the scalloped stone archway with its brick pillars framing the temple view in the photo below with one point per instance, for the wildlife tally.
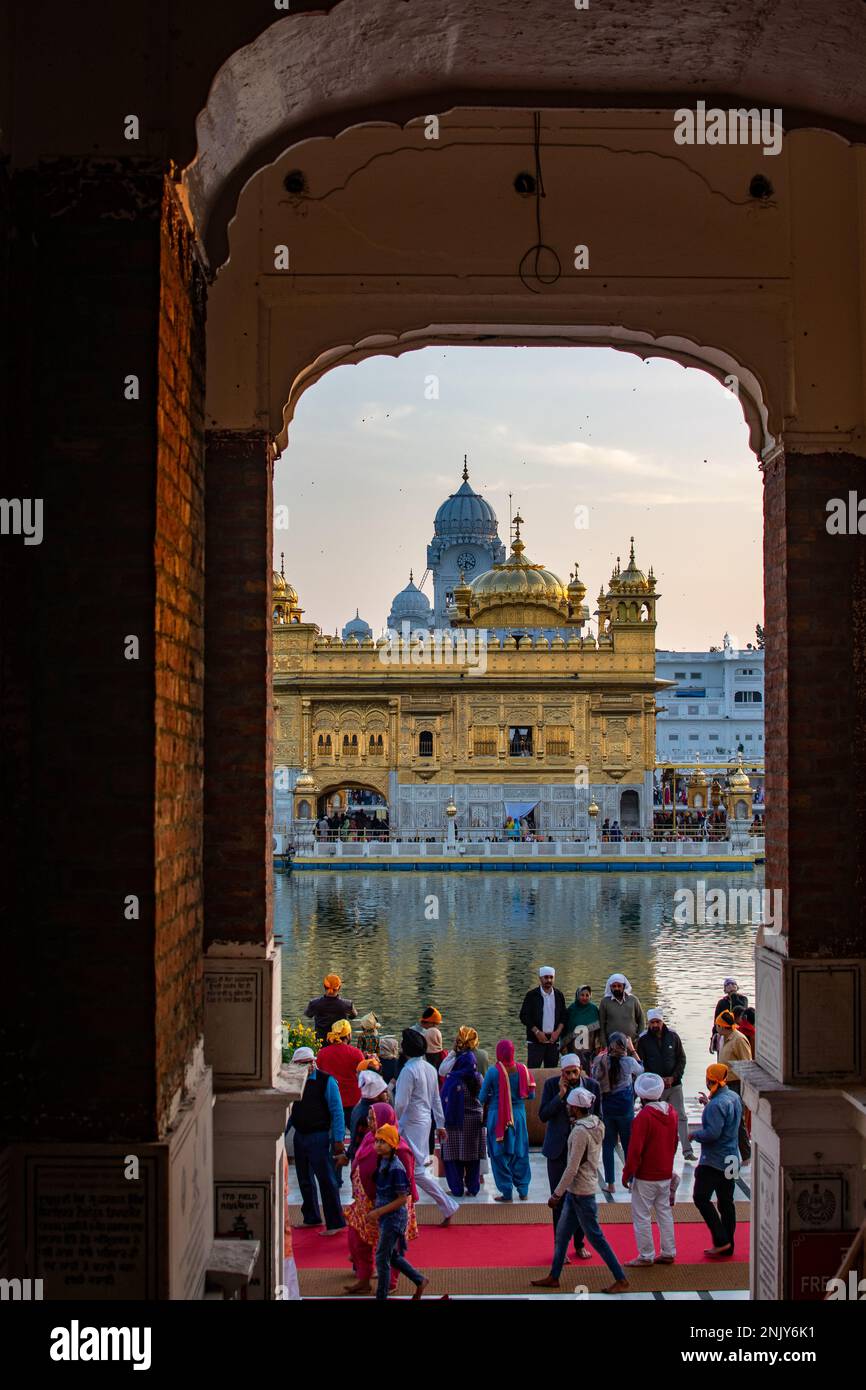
(104, 265)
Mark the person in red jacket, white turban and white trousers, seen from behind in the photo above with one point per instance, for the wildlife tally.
(650, 1170)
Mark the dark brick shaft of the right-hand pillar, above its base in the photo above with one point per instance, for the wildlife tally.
(815, 618)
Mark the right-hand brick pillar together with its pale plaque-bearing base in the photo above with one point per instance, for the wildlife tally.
(807, 1128)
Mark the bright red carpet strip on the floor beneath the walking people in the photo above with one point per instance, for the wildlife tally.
(489, 1248)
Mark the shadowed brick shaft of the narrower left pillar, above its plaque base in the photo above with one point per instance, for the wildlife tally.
(238, 689)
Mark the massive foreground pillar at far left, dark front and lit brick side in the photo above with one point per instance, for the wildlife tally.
(104, 740)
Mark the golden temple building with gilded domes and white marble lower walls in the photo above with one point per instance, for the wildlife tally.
(515, 707)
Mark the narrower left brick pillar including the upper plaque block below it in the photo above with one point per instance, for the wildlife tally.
(243, 967)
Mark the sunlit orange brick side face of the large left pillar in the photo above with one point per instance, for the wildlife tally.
(180, 651)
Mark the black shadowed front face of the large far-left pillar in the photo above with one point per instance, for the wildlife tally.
(80, 1022)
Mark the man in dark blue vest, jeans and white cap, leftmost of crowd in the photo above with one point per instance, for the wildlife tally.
(319, 1124)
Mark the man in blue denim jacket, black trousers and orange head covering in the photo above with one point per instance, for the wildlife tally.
(719, 1163)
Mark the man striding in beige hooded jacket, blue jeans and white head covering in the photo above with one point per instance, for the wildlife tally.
(578, 1186)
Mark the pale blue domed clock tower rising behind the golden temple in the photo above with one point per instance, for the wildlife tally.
(466, 541)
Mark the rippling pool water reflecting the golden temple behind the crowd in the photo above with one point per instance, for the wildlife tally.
(477, 960)
